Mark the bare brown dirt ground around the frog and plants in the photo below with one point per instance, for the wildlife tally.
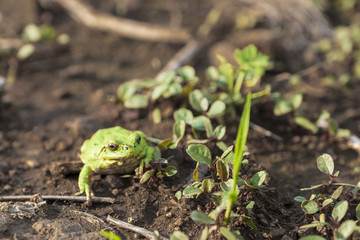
(61, 97)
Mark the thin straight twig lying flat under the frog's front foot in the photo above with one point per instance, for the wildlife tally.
(54, 197)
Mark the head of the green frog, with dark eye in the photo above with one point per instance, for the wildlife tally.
(118, 150)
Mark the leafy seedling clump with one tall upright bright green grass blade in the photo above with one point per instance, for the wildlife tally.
(220, 188)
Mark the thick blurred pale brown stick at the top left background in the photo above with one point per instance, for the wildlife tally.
(125, 27)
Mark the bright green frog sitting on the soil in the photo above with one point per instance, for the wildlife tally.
(113, 151)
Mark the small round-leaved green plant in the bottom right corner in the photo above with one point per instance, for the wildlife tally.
(322, 203)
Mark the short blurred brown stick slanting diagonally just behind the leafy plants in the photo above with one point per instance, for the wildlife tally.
(181, 57)
